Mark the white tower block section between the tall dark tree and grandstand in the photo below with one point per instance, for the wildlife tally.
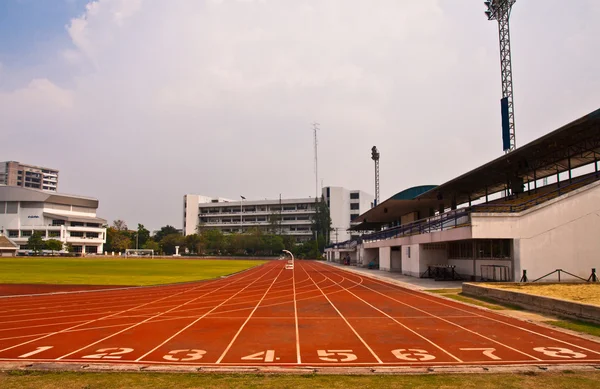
(344, 206)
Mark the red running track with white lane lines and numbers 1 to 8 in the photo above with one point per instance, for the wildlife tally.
(313, 315)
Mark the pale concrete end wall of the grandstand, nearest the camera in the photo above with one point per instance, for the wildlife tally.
(560, 234)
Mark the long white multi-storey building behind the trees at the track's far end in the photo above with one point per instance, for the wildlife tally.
(281, 216)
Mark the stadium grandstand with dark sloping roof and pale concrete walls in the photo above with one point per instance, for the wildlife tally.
(535, 209)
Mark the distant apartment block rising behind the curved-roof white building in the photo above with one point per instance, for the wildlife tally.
(14, 173)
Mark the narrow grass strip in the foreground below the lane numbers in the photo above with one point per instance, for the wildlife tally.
(44, 380)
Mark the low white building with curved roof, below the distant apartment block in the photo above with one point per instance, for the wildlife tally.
(67, 218)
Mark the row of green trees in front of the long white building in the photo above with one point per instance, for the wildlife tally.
(254, 242)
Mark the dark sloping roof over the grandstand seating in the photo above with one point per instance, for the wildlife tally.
(573, 145)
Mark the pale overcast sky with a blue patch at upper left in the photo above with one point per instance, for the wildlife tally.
(138, 102)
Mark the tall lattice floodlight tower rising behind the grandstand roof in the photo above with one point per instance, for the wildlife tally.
(500, 10)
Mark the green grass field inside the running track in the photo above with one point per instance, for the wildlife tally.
(109, 271)
